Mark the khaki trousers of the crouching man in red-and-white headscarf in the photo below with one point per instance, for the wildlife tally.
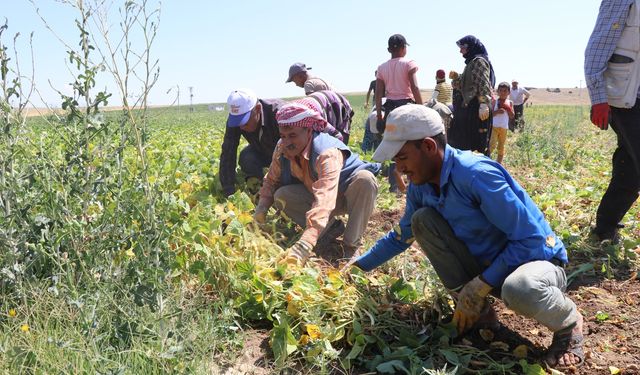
(357, 201)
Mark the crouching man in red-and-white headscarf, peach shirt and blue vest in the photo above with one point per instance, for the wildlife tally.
(312, 178)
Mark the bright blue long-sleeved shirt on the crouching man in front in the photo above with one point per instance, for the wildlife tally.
(486, 209)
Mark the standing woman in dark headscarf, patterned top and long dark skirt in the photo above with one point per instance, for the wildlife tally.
(471, 125)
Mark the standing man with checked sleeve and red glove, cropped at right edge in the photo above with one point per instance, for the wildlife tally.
(607, 63)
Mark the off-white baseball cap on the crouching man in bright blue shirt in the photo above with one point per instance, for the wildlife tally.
(407, 123)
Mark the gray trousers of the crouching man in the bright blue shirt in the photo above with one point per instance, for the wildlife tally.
(535, 289)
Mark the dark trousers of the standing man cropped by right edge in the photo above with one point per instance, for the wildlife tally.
(625, 176)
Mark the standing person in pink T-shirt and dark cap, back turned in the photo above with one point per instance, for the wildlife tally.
(396, 79)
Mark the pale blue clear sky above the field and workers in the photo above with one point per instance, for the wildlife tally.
(215, 47)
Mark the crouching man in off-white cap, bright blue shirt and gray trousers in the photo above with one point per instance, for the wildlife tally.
(481, 232)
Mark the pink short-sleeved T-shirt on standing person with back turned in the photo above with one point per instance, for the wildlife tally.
(395, 74)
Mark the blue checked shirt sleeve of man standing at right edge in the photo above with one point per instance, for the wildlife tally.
(612, 17)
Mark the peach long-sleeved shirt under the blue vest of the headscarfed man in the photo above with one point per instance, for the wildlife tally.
(324, 189)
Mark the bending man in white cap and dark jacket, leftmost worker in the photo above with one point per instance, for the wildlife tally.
(255, 120)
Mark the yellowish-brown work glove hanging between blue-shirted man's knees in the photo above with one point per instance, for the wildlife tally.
(471, 302)
